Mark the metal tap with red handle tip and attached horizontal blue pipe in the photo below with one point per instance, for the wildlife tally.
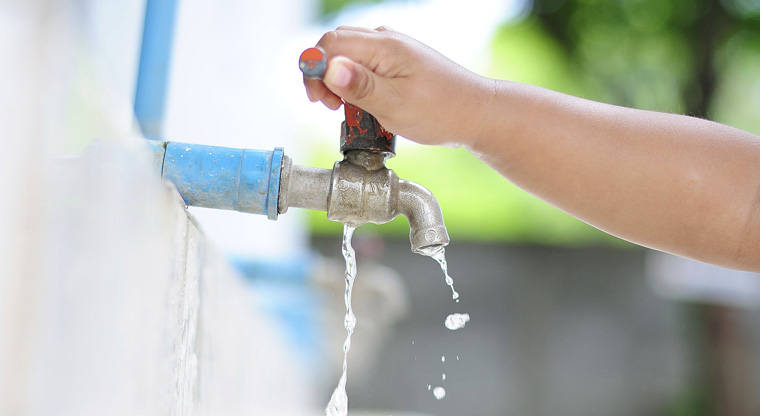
(357, 190)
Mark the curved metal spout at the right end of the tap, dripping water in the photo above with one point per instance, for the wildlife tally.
(427, 231)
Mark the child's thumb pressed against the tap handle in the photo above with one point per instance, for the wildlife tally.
(354, 83)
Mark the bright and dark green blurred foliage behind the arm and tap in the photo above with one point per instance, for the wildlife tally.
(698, 57)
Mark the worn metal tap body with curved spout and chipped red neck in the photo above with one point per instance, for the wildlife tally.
(360, 189)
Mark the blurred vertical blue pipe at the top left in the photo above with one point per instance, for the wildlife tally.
(153, 71)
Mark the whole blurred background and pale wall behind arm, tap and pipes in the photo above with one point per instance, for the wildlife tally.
(114, 299)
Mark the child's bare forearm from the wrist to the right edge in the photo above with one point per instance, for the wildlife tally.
(670, 182)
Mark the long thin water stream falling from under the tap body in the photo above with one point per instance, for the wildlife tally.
(338, 405)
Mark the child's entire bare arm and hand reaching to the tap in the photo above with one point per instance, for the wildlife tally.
(674, 183)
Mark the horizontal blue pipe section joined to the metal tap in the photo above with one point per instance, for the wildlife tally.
(224, 178)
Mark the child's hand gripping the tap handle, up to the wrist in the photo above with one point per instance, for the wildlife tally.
(411, 89)
